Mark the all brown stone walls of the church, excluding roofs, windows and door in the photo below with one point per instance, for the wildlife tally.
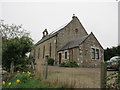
(81, 54)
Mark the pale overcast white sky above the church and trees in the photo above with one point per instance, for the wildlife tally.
(101, 17)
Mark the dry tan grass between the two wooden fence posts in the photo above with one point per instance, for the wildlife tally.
(73, 77)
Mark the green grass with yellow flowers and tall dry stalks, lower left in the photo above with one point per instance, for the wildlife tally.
(28, 80)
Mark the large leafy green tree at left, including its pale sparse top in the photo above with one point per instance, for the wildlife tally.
(16, 42)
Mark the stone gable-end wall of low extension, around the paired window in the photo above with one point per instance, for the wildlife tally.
(85, 52)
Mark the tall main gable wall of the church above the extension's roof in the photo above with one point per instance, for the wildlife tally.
(72, 31)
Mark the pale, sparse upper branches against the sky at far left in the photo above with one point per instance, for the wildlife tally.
(11, 31)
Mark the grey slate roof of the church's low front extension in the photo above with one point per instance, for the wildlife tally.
(73, 43)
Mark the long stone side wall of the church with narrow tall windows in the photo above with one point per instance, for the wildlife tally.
(43, 49)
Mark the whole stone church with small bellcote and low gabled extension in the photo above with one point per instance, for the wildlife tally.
(70, 43)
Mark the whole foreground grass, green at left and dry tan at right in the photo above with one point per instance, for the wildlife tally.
(58, 77)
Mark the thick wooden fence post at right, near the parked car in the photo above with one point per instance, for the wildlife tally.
(103, 74)
